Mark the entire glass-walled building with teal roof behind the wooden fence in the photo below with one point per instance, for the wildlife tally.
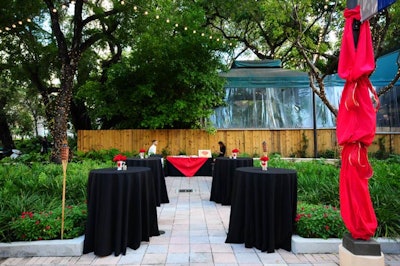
(261, 94)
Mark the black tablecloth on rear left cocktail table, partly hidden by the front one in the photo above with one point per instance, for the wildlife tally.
(156, 167)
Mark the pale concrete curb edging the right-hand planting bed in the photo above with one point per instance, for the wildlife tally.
(331, 245)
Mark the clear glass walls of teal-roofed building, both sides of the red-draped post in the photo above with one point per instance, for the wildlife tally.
(285, 108)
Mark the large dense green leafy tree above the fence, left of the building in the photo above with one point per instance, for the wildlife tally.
(173, 83)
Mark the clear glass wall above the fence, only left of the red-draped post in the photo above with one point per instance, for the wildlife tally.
(272, 108)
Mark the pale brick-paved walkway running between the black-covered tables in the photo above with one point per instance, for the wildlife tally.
(195, 232)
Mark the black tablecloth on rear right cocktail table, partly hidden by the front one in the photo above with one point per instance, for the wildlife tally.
(224, 170)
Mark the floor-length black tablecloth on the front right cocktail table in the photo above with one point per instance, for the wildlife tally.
(263, 208)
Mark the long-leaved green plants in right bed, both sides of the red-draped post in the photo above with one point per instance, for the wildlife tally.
(318, 183)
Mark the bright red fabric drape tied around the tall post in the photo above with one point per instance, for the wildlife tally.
(356, 125)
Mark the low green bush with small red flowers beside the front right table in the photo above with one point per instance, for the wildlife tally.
(319, 221)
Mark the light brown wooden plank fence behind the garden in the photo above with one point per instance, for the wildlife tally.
(288, 143)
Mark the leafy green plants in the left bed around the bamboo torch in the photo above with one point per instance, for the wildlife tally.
(36, 187)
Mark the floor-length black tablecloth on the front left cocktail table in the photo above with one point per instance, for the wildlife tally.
(122, 210)
